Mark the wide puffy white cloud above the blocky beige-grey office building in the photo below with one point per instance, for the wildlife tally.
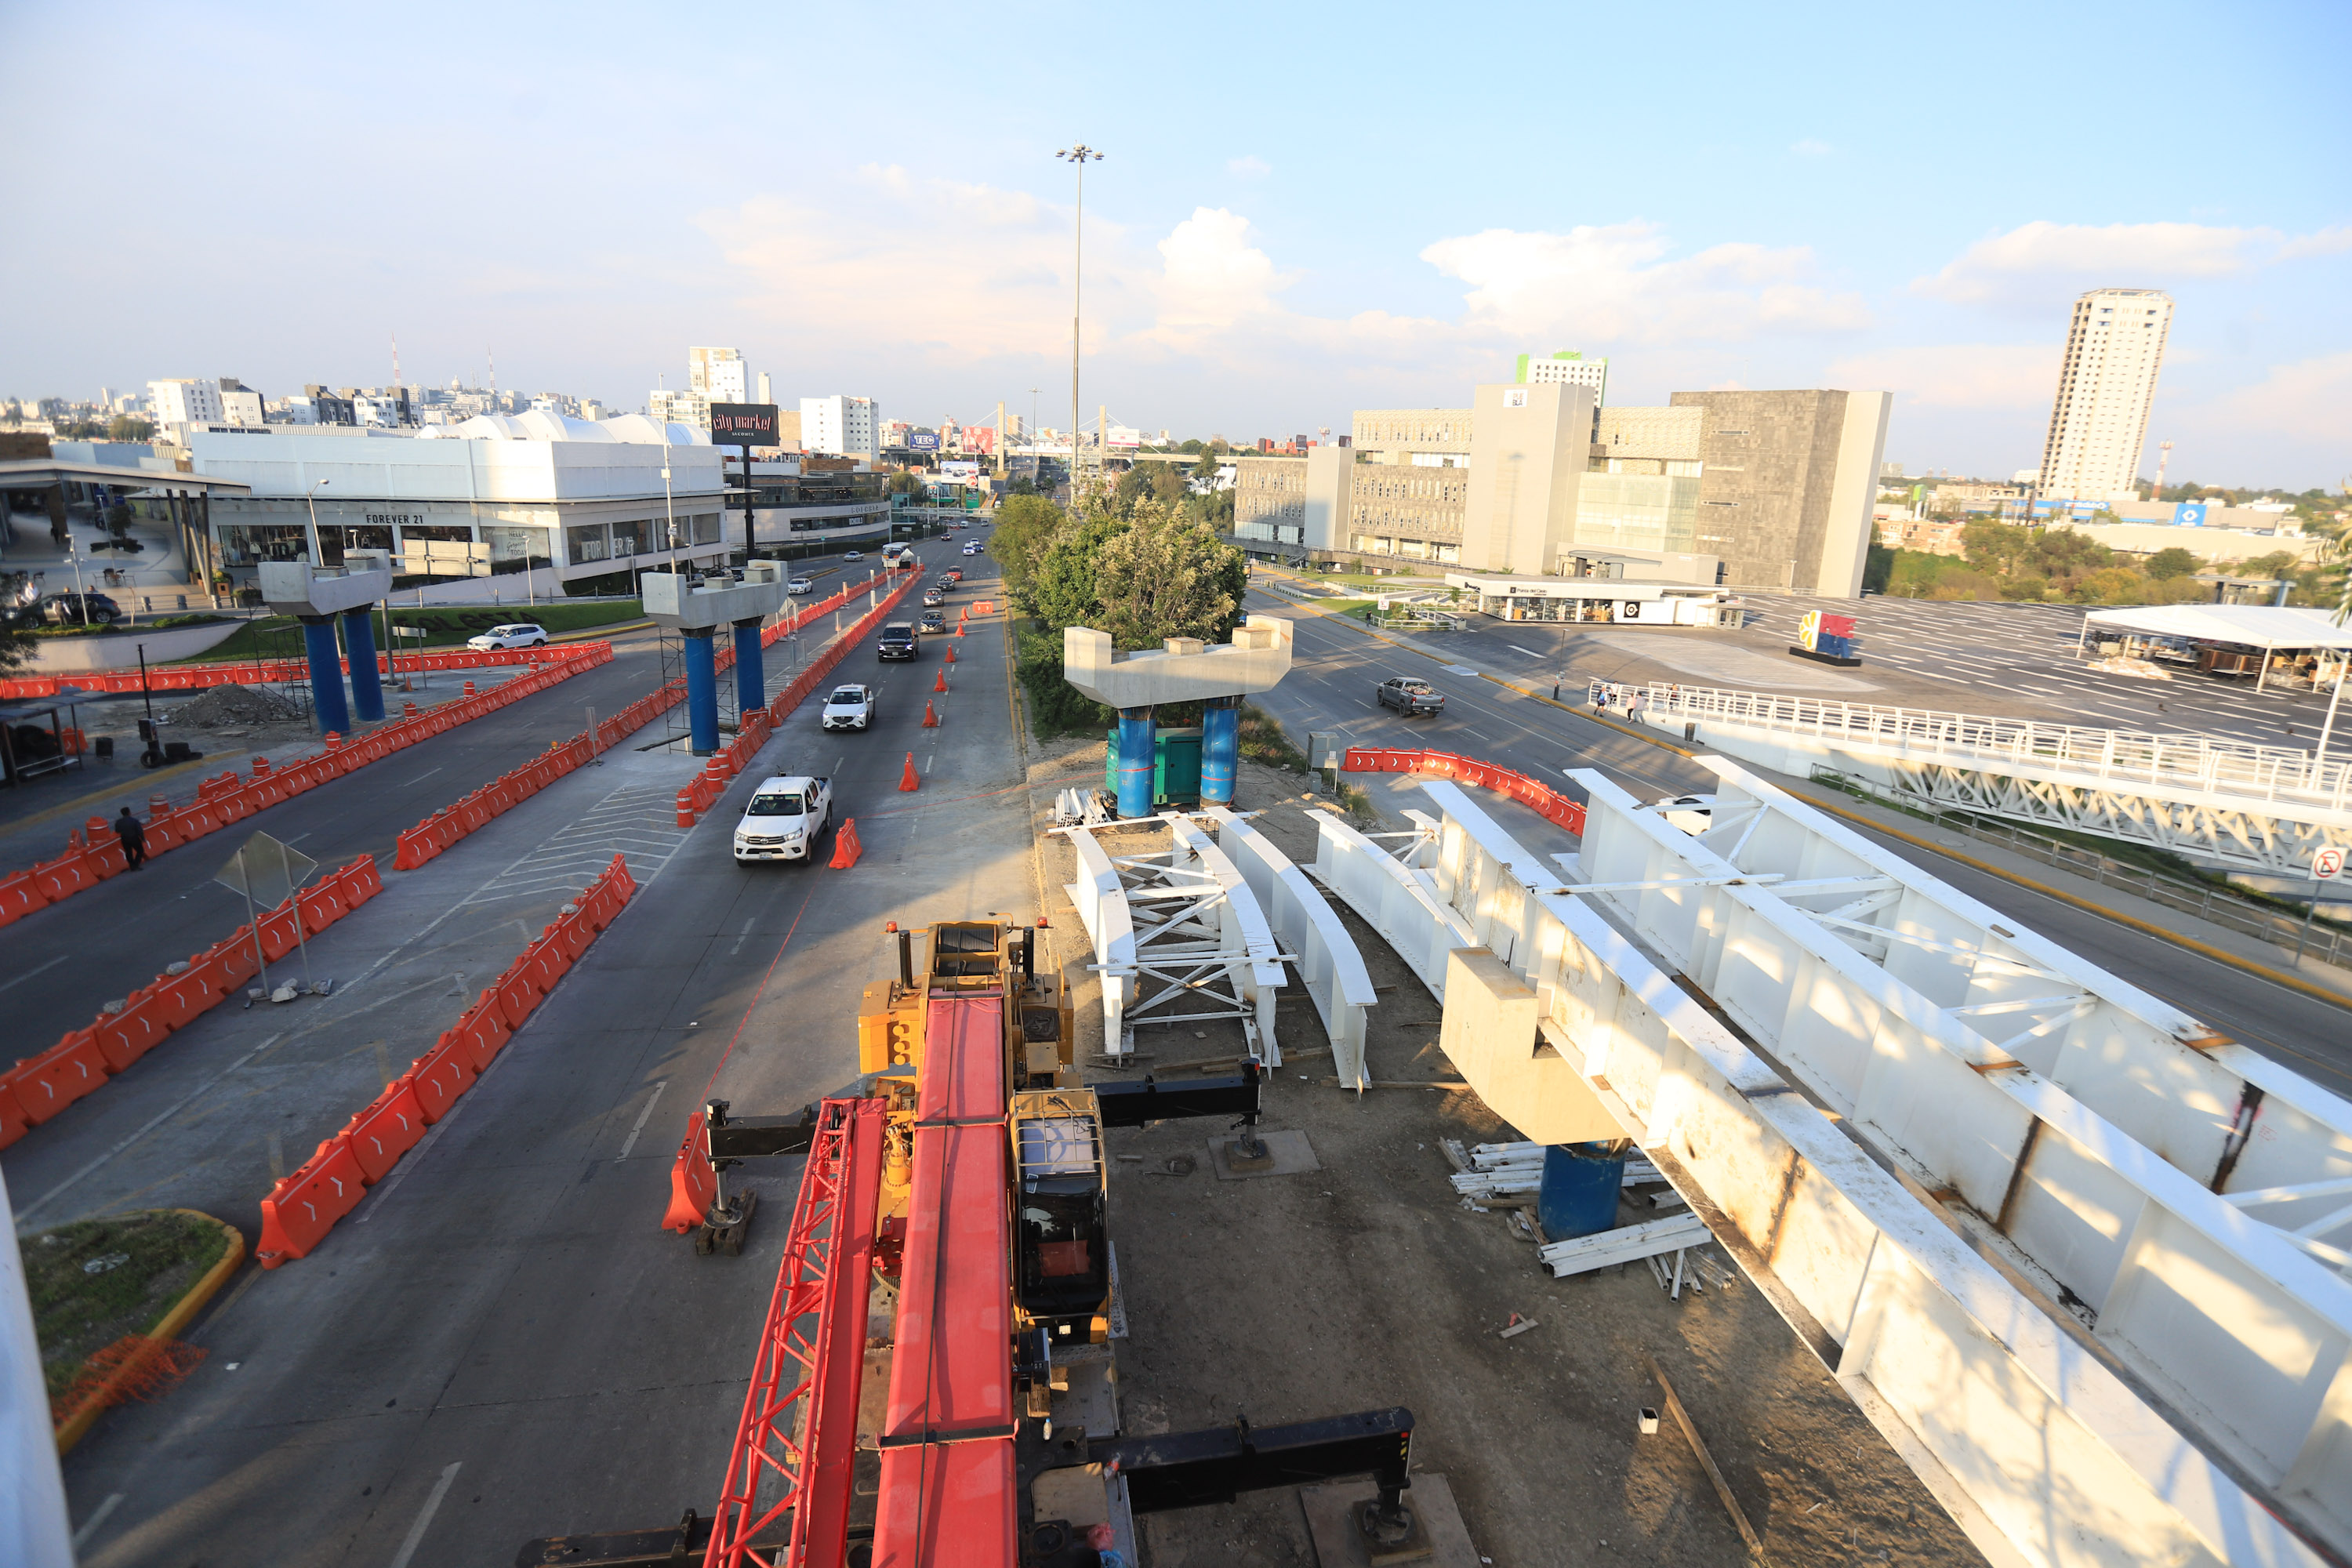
(1619, 286)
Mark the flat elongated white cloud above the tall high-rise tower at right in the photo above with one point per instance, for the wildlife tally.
(2033, 257)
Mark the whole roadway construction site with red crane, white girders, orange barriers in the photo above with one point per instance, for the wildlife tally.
(1125, 1151)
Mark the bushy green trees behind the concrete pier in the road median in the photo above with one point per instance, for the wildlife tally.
(1130, 561)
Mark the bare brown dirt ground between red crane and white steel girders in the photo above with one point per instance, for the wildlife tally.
(1370, 1285)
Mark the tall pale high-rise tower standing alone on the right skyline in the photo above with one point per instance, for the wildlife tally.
(2106, 384)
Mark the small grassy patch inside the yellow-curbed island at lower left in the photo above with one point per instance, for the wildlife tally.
(100, 1280)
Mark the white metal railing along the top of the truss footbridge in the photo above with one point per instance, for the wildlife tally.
(2269, 775)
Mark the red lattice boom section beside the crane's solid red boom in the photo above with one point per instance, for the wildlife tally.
(810, 1360)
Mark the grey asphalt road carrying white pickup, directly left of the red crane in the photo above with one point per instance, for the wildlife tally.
(509, 1346)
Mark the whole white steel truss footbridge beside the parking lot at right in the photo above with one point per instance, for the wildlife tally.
(2252, 808)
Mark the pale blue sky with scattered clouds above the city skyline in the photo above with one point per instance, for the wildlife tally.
(1302, 213)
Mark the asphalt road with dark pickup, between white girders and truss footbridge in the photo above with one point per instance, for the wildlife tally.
(1337, 666)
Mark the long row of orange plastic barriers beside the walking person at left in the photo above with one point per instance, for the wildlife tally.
(95, 855)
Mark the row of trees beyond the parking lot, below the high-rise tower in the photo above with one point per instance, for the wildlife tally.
(2003, 561)
